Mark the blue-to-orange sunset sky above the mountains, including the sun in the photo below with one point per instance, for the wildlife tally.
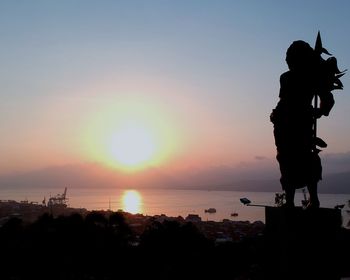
(177, 86)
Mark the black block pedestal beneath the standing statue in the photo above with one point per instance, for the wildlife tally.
(303, 244)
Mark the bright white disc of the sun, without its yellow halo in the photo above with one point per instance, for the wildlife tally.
(132, 144)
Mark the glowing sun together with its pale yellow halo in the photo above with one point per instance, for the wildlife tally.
(130, 136)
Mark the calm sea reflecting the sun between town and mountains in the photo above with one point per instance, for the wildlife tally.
(173, 202)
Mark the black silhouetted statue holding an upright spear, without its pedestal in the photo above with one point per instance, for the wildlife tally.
(309, 78)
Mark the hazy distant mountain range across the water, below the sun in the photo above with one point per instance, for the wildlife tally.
(219, 178)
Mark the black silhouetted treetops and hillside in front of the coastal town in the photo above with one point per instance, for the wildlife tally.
(105, 246)
